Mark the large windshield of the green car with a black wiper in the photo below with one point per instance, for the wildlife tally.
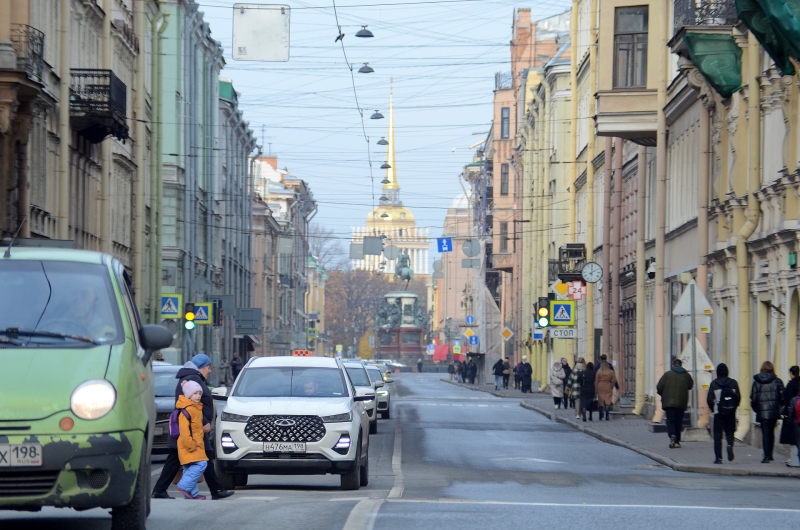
(60, 298)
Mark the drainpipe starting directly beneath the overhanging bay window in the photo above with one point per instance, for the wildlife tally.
(641, 277)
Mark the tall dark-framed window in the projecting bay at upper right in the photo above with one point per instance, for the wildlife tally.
(630, 47)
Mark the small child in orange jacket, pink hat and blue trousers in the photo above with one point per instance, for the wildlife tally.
(191, 447)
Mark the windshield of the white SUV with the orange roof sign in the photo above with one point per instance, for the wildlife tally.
(286, 381)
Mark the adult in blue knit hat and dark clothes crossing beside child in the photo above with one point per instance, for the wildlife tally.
(197, 370)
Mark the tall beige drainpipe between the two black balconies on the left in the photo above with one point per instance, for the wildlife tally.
(64, 130)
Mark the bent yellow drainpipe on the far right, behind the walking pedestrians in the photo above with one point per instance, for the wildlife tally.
(753, 211)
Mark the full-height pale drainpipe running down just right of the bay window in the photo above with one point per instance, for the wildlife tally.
(661, 206)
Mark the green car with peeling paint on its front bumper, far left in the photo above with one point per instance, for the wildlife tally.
(76, 396)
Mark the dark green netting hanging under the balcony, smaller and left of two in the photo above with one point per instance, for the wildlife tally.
(718, 58)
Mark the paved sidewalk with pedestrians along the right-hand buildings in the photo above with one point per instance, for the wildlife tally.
(631, 432)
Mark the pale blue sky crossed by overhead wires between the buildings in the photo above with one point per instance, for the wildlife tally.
(441, 55)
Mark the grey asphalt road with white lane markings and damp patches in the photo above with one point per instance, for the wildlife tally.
(453, 458)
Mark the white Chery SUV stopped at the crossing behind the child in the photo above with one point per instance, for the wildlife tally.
(293, 416)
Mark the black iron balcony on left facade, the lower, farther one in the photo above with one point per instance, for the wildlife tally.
(98, 105)
